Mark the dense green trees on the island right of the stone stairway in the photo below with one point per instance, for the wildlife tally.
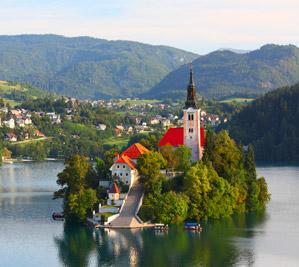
(223, 183)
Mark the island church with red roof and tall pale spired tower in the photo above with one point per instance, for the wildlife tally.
(192, 133)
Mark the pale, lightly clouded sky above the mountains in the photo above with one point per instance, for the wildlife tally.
(200, 26)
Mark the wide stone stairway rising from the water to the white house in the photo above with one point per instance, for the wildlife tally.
(127, 218)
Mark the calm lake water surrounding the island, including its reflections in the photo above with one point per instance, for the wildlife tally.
(28, 236)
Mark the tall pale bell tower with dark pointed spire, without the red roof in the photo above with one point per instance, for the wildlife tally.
(192, 121)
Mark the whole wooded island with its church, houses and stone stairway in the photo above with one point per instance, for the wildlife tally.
(191, 174)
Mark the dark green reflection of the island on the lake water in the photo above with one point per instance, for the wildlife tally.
(217, 245)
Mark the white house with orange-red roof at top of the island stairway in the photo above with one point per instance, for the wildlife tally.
(124, 167)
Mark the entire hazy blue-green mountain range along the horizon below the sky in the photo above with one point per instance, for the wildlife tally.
(86, 67)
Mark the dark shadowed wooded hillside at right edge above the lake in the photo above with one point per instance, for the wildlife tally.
(271, 124)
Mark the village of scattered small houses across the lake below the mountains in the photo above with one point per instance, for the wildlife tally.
(17, 124)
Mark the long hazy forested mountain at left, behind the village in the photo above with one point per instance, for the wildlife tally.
(86, 67)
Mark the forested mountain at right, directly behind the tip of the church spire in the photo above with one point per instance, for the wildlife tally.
(223, 74)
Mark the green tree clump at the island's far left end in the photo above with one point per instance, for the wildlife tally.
(78, 198)
